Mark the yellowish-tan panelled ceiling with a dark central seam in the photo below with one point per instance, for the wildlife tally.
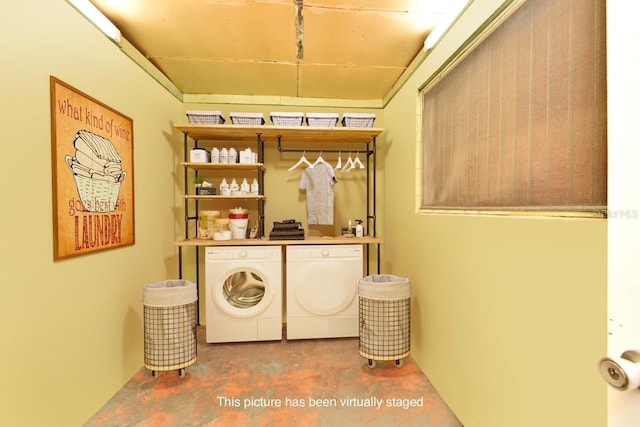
(340, 49)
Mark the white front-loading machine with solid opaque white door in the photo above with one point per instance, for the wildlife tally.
(322, 288)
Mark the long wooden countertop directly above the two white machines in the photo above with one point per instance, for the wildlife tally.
(265, 241)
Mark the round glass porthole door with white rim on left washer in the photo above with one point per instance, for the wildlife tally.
(245, 292)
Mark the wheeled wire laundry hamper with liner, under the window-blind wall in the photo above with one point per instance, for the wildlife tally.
(384, 307)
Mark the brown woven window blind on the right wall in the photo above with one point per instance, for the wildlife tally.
(520, 122)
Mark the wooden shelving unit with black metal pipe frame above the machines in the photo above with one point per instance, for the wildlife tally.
(317, 138)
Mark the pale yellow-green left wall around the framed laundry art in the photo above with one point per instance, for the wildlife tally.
(72, 330)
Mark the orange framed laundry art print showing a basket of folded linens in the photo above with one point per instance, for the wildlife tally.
(92, 167)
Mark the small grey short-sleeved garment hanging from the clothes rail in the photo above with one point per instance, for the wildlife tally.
(318, 183)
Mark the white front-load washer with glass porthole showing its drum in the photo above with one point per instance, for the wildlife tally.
(244, 293)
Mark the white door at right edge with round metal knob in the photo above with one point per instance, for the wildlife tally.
(623, 35)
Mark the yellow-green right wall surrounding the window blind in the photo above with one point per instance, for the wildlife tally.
(509, 314)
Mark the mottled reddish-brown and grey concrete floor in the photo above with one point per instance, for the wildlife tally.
(281, 383)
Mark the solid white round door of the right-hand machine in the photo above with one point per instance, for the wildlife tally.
(325, 288)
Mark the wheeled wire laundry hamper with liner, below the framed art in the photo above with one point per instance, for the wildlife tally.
(170, 326)
